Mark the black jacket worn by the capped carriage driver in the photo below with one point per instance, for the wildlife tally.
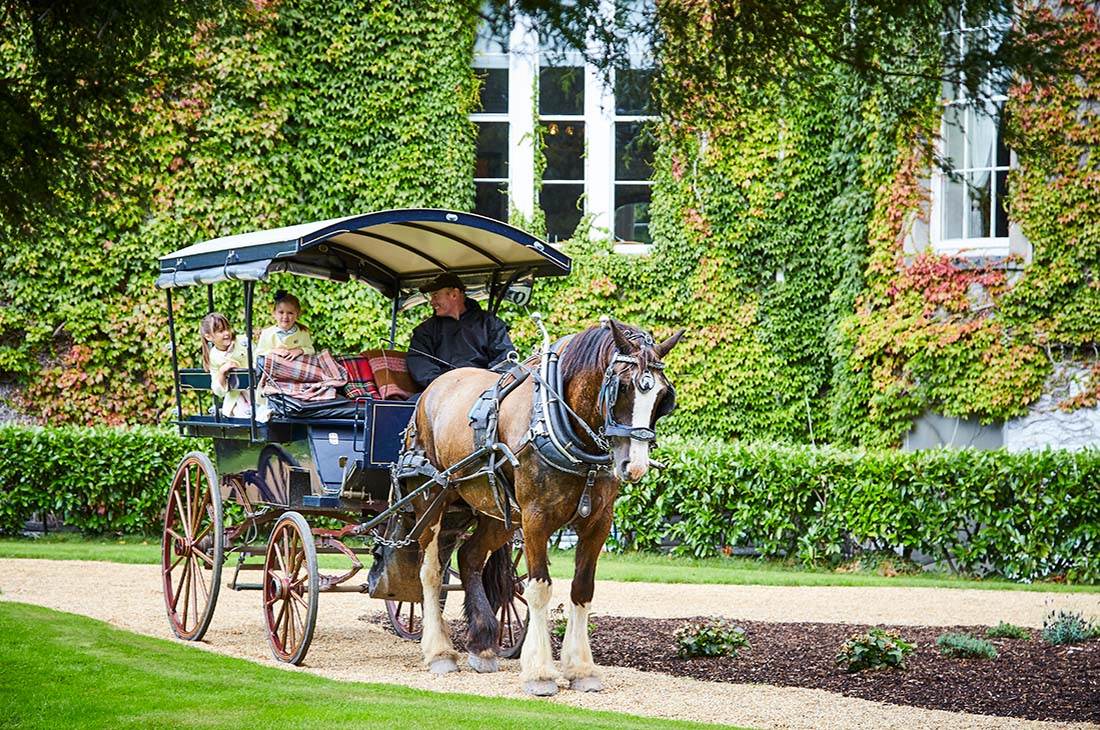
(475, 340)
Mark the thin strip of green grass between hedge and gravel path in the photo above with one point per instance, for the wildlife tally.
(626, 568)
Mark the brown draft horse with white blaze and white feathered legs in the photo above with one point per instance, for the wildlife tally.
(612, 378)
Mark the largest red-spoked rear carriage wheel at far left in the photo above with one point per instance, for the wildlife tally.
(192, 548)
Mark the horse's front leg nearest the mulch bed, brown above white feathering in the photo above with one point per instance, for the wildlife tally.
(577, 662)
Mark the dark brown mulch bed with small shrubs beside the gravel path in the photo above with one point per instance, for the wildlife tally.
(1030, 679)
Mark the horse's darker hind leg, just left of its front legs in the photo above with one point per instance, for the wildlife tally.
(481, 600)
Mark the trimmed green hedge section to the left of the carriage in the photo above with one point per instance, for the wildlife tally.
(97, 480)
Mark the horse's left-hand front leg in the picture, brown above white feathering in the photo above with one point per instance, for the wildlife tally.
(536, 660)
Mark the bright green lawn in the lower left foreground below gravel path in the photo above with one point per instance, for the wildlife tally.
(70, 671)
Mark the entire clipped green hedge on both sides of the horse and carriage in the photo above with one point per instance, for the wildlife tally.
(1028, 516)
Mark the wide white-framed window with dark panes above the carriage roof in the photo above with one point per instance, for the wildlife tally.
(598, 143)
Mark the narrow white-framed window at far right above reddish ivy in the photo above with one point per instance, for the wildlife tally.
(970, 216)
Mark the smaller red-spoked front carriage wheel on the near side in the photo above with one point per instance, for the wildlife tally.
(291, 589)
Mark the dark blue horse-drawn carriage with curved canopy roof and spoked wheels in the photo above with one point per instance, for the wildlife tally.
(329, 462)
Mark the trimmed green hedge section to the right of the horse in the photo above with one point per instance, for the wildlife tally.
(1025, 516)
